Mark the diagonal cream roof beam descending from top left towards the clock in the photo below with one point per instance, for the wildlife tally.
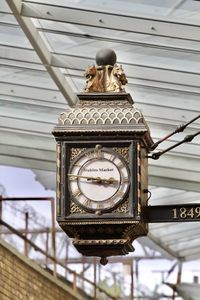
(43, 51)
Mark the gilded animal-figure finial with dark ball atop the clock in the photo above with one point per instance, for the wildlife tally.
(107, 76)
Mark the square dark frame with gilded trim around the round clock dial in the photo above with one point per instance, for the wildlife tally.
(132, 196)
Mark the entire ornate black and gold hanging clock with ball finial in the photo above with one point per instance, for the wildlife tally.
(102, 147)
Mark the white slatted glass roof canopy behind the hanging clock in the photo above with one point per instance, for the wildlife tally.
(45, 46)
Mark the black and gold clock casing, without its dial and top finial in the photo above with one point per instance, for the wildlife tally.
(117, 124)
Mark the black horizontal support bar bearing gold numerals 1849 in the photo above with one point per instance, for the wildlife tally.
(172, 213)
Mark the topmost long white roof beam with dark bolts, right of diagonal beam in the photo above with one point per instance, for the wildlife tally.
(101, 19)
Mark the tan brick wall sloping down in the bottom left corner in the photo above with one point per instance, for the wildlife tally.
(22, 279)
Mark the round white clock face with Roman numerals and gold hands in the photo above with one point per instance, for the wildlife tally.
(99, 179)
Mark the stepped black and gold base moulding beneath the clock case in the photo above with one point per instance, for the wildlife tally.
(105, 240)
